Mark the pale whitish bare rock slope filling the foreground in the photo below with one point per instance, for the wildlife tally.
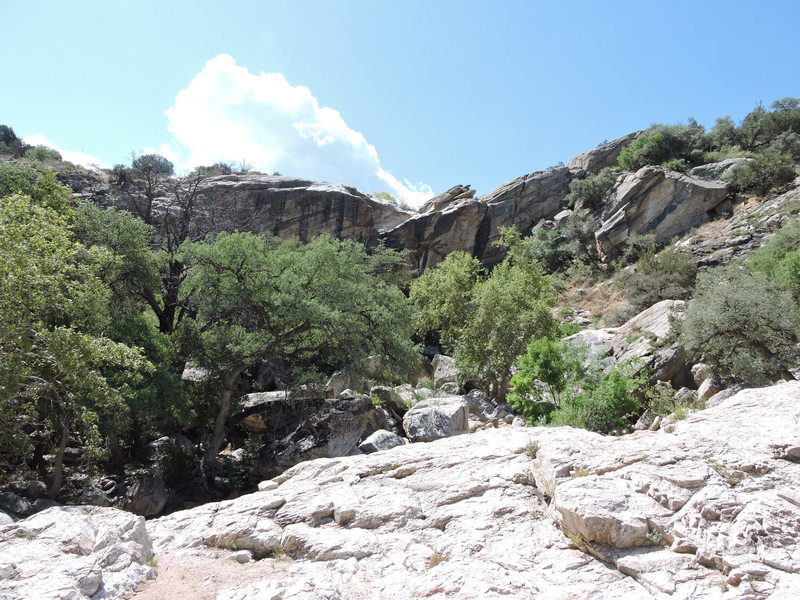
(708, 510)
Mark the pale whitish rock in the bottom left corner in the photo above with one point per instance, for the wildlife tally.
(74, 553)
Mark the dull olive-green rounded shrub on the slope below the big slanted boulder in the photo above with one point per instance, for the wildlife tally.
(667, 275)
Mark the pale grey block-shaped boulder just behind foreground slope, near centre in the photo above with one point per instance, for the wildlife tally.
(436, 418)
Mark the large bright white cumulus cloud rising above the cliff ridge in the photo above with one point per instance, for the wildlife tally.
(229, 114)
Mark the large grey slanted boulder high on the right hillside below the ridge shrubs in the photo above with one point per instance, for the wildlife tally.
(655, 201)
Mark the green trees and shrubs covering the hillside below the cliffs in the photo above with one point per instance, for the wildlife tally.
(105, 307)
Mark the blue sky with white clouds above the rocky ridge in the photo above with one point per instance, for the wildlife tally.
(402, 96)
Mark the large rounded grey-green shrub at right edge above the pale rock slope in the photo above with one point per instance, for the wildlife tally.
(743, 325)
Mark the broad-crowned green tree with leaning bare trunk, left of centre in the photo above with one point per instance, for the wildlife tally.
(315, 307)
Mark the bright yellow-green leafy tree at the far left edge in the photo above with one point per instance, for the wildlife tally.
(56, 365)
